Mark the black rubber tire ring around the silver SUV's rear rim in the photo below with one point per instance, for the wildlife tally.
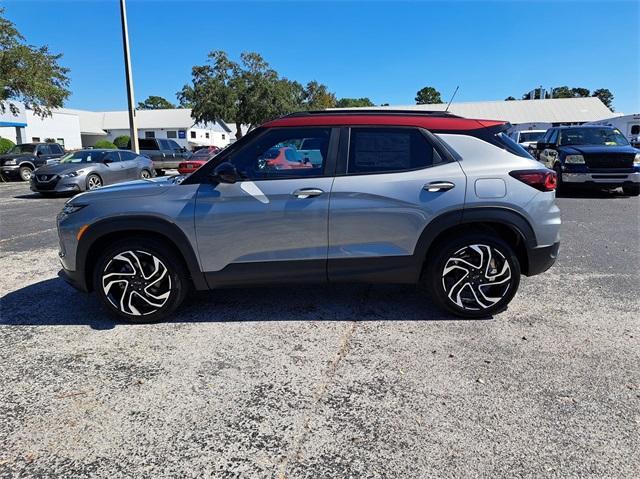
(446, 250)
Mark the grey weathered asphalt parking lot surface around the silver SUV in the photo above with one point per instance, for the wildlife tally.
(325, 382)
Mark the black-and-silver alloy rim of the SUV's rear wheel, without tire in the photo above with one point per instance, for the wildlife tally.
(476, 277)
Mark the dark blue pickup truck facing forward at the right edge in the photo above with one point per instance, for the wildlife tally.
(591, 156)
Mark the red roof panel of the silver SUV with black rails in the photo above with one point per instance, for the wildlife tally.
(427, 120)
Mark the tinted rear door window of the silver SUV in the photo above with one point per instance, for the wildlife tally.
(380, 150)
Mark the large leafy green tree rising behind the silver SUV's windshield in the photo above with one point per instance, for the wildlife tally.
(248, 92)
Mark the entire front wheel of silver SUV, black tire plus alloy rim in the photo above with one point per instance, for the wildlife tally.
(164, 291)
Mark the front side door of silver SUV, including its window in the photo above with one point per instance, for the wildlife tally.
(271, 225)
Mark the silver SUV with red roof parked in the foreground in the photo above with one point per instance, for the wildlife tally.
(385, 196)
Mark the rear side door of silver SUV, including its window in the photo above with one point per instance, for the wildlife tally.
(390, 183)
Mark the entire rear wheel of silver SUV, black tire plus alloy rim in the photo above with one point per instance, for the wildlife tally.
(473, 298)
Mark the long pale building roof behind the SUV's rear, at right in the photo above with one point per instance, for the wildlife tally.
(556, 110)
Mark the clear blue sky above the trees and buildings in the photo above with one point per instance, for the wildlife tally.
(383, 50)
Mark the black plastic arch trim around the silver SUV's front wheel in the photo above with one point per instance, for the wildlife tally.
(107, 231)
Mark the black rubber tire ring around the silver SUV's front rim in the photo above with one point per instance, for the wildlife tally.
(175, 267)
